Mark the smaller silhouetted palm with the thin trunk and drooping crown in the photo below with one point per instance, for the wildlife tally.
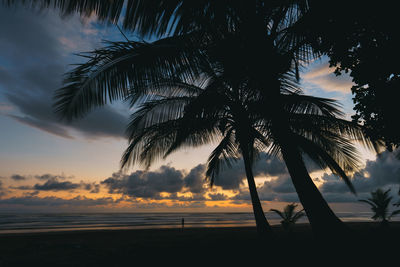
(176, 113)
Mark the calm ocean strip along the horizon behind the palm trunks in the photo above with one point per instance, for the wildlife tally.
(48, 222)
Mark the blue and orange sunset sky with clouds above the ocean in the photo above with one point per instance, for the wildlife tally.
(48, 165)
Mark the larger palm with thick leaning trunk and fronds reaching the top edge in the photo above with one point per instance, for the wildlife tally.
(259, 39)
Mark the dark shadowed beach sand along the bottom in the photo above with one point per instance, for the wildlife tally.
(196, 245)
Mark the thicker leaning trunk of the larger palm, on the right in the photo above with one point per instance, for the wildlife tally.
(322, 219)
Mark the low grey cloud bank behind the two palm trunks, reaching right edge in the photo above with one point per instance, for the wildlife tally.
(382, 172)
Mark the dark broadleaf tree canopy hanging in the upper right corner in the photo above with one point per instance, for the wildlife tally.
(362, 38)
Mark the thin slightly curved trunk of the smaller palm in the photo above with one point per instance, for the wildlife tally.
(262, 224)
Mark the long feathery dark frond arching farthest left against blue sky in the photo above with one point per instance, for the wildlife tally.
(124, 69)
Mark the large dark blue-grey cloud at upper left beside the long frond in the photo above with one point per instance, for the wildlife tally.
(32, 65)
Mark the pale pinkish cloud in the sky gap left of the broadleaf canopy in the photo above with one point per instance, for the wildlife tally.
(322, 75)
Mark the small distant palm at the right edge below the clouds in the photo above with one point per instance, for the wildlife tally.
(379, 202)
